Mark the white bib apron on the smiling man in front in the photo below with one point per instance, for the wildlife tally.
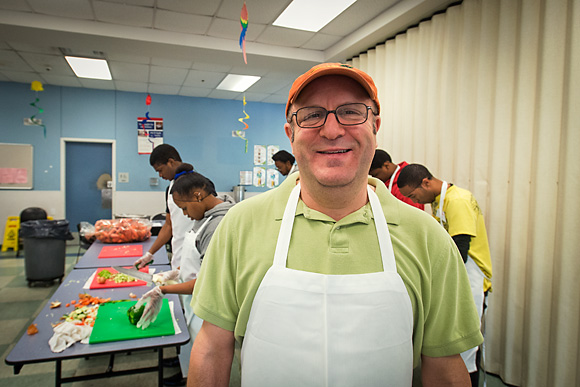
(310, 329)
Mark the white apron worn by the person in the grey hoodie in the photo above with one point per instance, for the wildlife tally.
(190, 265)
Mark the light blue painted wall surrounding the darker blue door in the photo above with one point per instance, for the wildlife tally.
(200, 128)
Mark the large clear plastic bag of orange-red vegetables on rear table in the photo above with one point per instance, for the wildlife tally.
(122, 230)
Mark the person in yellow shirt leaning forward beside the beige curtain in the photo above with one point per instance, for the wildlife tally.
(459, 213)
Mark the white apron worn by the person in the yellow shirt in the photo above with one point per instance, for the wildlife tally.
(476, 277)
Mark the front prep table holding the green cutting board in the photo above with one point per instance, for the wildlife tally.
(35, 349)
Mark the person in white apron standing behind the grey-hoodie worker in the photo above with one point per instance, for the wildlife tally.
(166, 161)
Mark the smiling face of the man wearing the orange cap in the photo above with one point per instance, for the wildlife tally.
(333, 155)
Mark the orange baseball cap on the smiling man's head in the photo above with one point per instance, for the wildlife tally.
(333, 69)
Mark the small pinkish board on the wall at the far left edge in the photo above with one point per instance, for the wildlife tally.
(16, 166)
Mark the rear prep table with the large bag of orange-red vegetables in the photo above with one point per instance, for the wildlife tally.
(91, 257)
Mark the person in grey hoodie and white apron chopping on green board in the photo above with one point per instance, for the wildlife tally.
(196, 197)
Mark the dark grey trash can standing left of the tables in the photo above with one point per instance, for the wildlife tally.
(45, 249)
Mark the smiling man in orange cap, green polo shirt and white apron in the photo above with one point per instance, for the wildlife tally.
(328, 279)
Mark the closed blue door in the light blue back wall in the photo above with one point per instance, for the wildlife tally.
(85, 163)
